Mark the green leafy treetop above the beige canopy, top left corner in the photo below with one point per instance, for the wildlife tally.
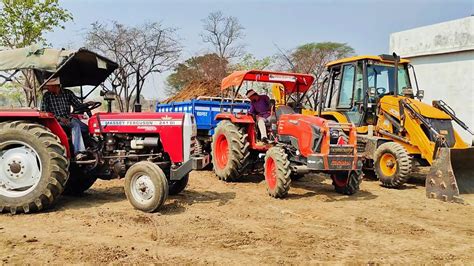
(23, 22)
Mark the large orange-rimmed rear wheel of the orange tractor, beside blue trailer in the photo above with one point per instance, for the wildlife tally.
(230, 151)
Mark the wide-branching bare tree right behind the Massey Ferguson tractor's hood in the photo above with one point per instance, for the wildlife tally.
(140, 51)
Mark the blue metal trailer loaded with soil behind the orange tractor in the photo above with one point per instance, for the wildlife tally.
(205, 110)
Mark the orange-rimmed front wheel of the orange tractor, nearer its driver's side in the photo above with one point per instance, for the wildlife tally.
(277, 172)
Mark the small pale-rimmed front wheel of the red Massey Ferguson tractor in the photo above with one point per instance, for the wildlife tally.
(146, 186)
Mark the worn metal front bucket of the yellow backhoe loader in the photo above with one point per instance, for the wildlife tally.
(451, 174)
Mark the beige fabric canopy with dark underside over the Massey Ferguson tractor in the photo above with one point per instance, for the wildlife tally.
(73, 67)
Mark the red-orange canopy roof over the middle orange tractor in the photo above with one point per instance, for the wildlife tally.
(293, 82)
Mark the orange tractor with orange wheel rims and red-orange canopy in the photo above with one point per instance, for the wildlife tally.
(298, 144)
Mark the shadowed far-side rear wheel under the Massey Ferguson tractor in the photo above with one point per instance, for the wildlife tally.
(78, 181)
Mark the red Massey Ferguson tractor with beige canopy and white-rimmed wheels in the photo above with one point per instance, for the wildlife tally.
(153, 151)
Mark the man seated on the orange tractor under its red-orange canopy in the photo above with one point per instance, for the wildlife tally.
(261, 109)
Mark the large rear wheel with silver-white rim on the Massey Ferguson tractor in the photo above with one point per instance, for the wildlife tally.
(33, 167)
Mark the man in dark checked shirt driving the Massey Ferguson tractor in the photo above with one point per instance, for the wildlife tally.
(59, 101)
